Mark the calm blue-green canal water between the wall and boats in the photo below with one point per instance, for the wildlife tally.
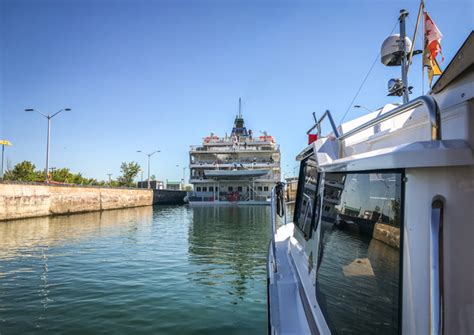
(162, 270)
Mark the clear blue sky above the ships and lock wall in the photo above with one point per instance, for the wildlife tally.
(161, 75)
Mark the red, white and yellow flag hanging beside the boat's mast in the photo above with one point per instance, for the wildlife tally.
(432, 47)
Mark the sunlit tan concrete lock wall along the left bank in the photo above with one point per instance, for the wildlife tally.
(27, 200)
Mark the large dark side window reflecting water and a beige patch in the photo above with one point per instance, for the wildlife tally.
(358, 271)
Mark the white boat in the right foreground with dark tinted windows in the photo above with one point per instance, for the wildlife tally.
(391, 250)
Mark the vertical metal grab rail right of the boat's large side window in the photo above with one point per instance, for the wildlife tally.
(436, 267)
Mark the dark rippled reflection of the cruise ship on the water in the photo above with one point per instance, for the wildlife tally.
(230, 244)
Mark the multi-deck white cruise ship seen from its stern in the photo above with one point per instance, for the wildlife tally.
(236, 169)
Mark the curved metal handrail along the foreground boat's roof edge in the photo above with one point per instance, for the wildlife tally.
(428, 101)
